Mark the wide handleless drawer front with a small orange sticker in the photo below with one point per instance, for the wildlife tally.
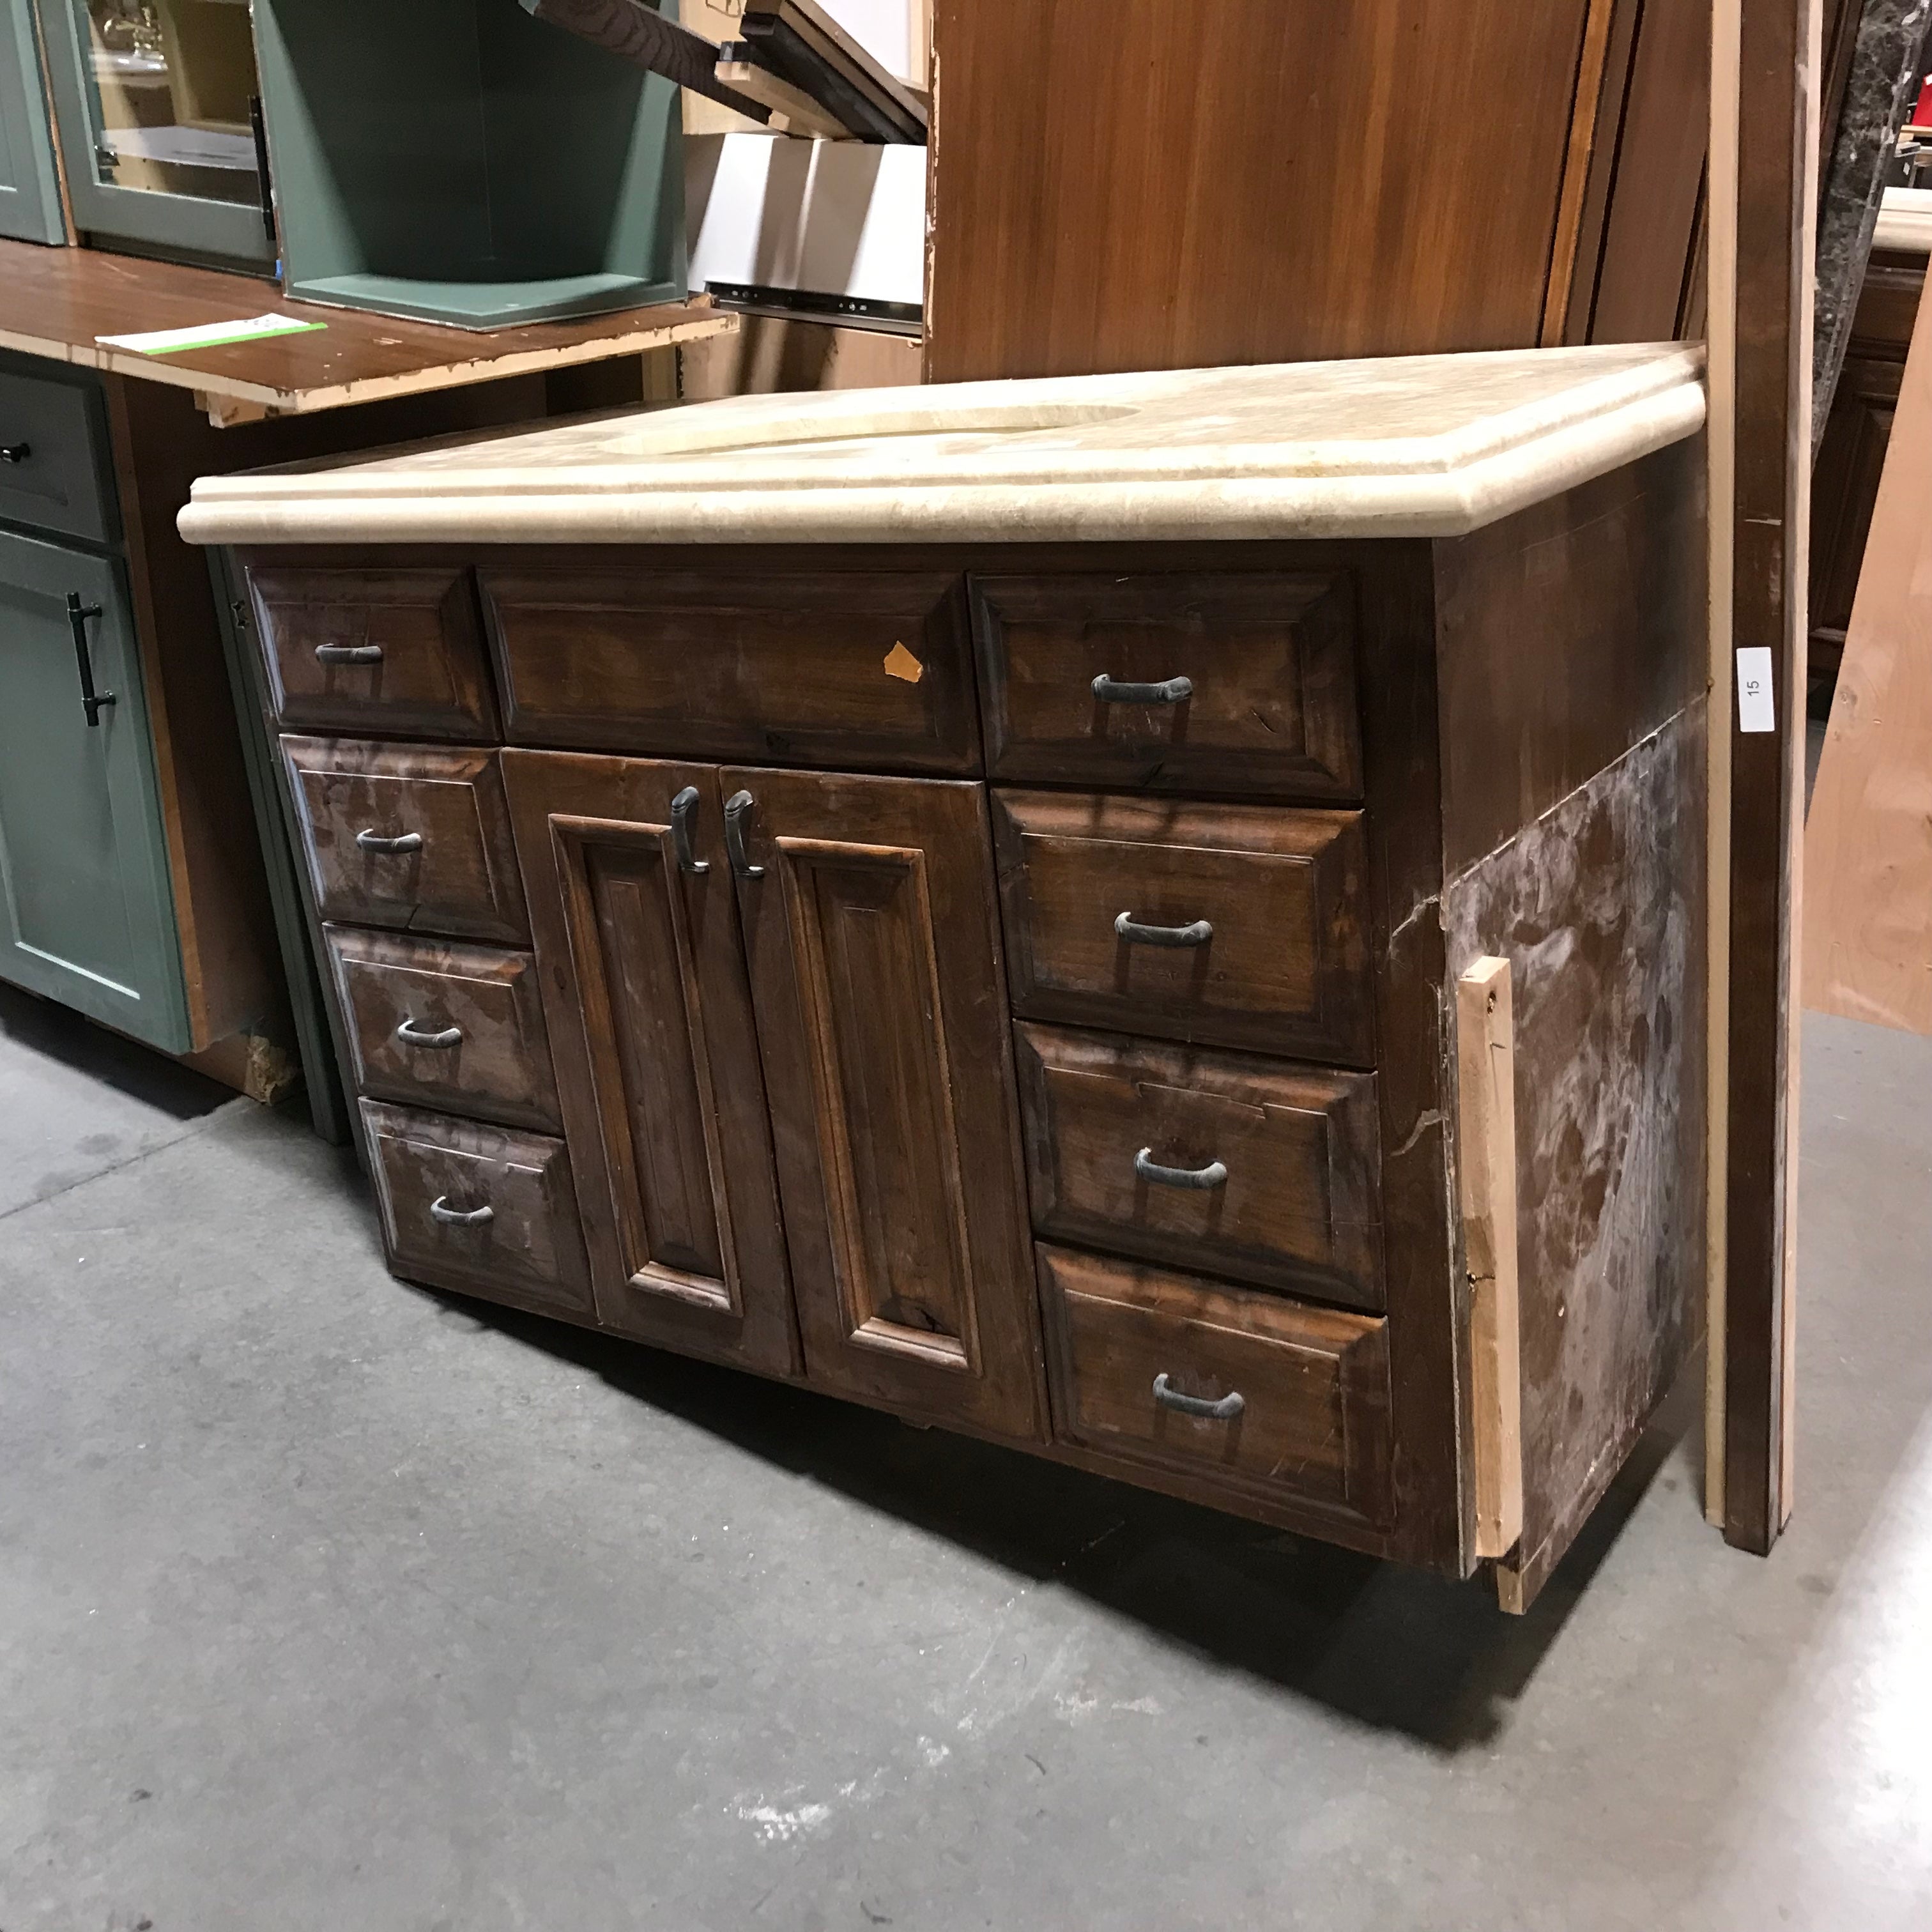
(824, 669)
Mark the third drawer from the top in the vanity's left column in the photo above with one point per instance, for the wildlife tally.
(447, 1027)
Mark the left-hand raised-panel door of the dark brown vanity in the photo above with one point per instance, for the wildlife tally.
(658, 1067)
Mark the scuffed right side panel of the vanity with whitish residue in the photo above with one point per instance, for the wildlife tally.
(1574, 716)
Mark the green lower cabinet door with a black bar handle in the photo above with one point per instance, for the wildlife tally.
(86, 907)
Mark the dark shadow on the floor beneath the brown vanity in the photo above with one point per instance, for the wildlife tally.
(1378, 1643)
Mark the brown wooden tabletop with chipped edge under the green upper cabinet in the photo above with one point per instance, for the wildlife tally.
(57, 300)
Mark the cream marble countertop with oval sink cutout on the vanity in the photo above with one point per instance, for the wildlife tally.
(1402, 447)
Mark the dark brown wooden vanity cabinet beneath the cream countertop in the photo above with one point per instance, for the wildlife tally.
(1025, 1042)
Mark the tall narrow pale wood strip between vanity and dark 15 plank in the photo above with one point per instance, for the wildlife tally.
(1720, 300)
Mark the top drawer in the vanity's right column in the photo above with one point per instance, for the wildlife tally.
(1268, 668)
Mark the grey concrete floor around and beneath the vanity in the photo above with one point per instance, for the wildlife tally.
(329, 1605)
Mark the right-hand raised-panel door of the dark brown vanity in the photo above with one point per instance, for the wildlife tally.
(882, 1013)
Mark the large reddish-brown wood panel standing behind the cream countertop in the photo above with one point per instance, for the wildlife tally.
(1127, 185)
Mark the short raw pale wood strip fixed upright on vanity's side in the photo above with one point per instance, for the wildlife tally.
(1487, 1170)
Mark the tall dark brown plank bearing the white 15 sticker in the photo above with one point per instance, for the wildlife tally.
(1771, 528)
